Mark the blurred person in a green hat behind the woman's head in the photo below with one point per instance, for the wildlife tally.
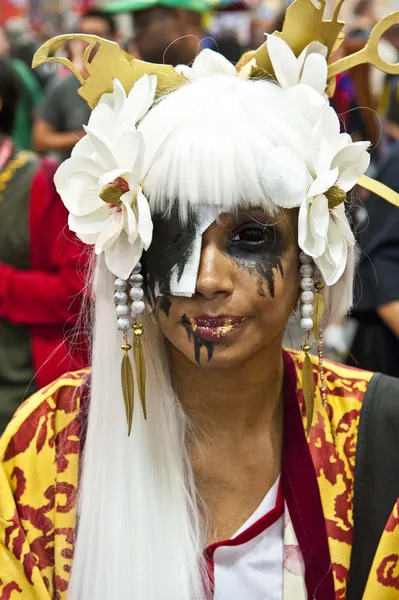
(165, 31)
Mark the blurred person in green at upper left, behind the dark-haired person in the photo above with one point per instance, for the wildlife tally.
(29, 97)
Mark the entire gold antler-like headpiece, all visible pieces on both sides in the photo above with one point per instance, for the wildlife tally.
(304, 23)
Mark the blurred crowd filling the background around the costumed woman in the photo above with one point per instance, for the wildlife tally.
(42, 265)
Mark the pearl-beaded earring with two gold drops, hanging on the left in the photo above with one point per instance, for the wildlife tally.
(126, 314)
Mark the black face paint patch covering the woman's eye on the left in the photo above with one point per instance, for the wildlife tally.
(171, 247)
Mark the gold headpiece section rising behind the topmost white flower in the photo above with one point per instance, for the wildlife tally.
(303, 24)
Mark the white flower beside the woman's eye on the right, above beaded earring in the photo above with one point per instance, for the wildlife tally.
(337, 164)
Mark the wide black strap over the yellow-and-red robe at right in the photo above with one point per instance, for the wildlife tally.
(376, 486)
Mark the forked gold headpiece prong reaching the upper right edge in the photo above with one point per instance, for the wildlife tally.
(369, 54)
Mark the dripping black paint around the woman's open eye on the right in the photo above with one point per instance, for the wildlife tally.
(258, 247)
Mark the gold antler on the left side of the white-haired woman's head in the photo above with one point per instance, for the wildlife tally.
(109, 63)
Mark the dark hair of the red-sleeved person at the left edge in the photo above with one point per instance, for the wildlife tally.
(9, 96)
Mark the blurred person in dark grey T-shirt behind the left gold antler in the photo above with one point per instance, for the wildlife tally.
(60, 123)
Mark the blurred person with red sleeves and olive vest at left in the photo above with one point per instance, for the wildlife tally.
(40, 287)
